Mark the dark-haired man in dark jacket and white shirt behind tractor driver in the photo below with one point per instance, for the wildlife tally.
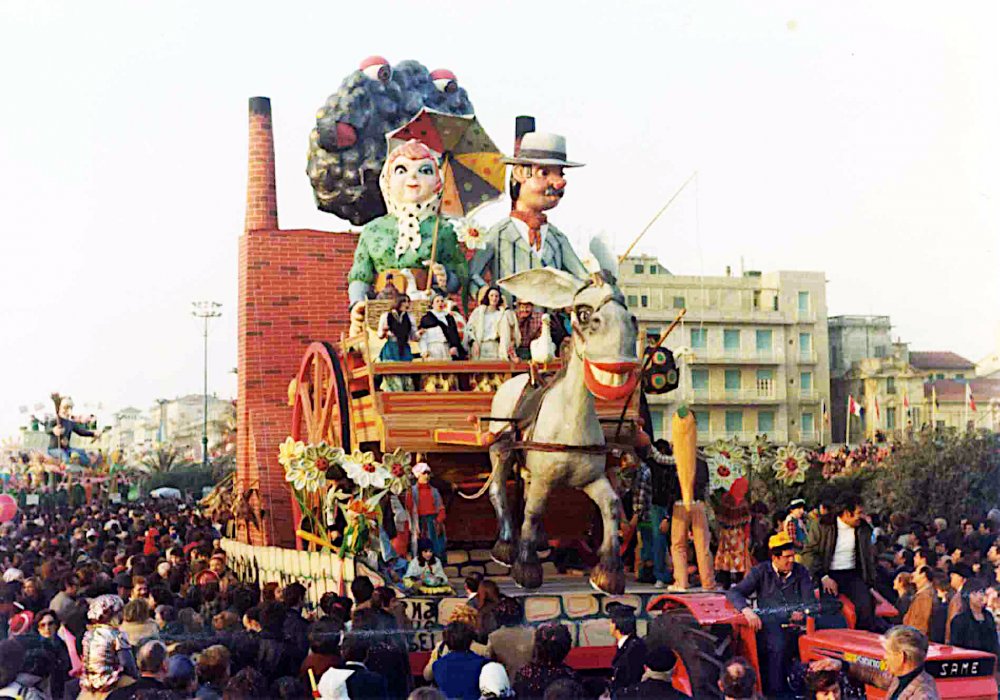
(839, 555)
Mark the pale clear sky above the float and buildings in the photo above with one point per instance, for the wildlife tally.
(856, 138)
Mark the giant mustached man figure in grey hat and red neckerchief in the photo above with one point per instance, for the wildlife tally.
(526, 240)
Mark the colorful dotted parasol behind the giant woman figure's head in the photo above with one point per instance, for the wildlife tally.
(472, 166)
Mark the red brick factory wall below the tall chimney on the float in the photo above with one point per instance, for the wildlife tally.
(293, 290)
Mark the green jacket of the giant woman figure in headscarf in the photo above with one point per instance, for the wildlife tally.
(376, 252)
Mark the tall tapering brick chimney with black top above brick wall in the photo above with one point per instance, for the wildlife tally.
(262, 197)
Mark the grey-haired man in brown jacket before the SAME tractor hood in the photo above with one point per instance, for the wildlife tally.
(904, 677)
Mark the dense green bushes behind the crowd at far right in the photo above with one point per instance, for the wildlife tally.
(941, 473)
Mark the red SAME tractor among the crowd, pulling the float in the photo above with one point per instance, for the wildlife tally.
(705, 629)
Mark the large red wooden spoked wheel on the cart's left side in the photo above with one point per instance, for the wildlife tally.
(321, 411)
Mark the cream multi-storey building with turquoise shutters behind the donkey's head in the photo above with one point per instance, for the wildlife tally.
(752, 350)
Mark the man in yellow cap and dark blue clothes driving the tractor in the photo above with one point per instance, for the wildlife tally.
(784, 590)
